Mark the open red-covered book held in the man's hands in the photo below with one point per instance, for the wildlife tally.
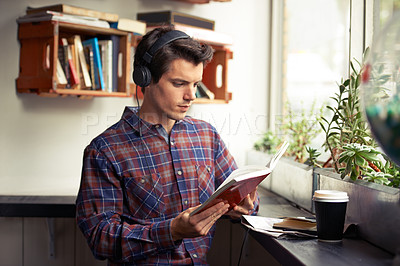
(241, 182)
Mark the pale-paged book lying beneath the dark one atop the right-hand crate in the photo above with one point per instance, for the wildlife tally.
(202, 35)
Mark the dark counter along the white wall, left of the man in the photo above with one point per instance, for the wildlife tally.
(37, 206)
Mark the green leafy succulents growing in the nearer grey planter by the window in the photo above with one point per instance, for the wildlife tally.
(353, 151)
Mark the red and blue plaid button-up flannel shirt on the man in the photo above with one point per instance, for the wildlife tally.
(132, 187)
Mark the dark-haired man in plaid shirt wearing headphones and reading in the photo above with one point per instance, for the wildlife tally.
(143, 176)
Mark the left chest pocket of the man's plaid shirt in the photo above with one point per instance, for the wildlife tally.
(144, 196)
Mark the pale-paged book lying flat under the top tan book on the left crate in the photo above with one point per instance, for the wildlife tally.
(48, 15)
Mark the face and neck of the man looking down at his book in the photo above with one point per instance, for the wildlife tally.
(170, 99)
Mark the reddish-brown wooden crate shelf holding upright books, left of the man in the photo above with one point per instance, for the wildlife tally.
(39, 52)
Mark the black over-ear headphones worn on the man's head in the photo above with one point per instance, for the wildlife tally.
(141, 73)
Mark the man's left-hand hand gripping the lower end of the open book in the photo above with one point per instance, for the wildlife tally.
(185, 226)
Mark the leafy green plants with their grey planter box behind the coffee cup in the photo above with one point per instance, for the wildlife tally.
(369, 177)
